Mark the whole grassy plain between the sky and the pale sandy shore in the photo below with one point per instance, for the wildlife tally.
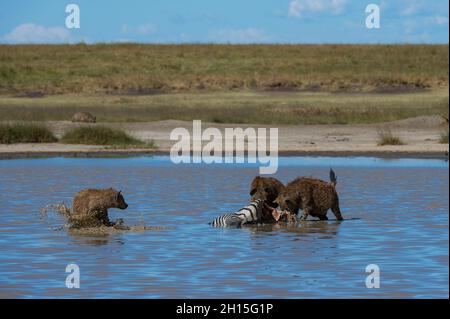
(268, 84)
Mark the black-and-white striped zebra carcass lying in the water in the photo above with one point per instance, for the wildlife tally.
(247, 214)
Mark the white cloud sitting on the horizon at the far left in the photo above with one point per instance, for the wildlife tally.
(33, 33)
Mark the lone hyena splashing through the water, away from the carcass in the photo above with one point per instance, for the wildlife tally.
(90, 206)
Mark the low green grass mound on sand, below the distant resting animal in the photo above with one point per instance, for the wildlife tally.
(100, 135)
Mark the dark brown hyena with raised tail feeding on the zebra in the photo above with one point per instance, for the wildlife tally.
(313, 196)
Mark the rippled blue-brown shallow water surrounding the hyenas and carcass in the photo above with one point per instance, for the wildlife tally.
(396, 215)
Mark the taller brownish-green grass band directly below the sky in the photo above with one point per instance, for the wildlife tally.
(148, 68)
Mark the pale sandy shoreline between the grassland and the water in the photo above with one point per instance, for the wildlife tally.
(421, 135)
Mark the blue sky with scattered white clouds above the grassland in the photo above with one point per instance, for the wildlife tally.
(224, 21)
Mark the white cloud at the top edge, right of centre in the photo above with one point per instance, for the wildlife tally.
(299, 7)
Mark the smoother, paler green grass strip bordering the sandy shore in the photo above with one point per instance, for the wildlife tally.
(231, 107)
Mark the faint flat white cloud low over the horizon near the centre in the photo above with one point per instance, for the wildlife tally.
(248, 35)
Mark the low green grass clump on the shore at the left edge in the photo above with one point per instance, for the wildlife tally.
(25, 133)
